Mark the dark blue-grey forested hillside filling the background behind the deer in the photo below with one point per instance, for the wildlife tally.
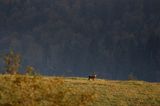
(76, 37)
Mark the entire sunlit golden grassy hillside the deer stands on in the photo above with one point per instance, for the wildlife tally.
(20, 90)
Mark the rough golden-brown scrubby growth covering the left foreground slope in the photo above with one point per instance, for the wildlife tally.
(22, 90)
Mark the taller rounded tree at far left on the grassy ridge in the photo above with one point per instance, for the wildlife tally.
(12, 62)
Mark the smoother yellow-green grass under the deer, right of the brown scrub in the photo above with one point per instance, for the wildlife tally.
(121, 93)
